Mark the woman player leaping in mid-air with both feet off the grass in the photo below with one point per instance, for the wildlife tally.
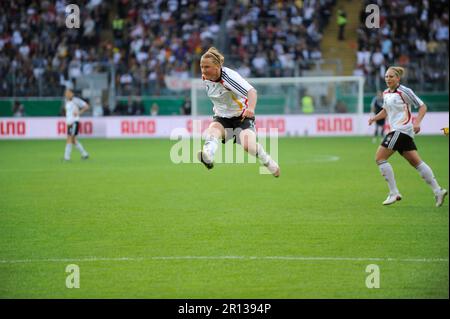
(234, 101)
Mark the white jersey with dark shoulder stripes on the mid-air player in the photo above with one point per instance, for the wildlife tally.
(229, 94)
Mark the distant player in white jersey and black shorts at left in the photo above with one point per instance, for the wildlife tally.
(74, 107)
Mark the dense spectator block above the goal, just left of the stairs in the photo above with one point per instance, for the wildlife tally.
(276, 38)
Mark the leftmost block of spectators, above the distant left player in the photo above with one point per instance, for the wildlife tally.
(38, 52)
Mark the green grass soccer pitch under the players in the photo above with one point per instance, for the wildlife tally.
(139, 226)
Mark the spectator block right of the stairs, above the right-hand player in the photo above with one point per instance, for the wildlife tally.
(413, 34)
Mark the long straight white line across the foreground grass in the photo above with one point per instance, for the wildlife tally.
(283, 258)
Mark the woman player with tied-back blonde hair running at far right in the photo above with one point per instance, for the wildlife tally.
(397, 101)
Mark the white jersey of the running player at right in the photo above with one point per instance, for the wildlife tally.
(398, 107)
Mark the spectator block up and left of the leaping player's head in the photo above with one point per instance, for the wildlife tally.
(154, 39)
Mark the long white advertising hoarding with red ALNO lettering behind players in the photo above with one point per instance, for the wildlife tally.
(164, 126)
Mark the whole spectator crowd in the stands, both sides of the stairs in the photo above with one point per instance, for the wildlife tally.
(143, 42)
